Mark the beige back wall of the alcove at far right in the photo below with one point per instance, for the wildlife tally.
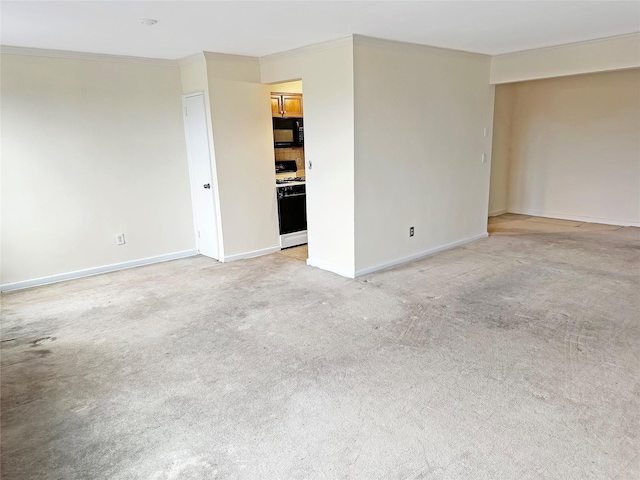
(575, 148)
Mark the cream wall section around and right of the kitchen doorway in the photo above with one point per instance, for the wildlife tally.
(326, 71)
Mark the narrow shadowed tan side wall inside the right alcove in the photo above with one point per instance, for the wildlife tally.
(503, 109)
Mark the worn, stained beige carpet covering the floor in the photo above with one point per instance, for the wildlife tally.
(513, 357)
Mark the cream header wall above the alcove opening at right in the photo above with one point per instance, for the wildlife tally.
(605, 54)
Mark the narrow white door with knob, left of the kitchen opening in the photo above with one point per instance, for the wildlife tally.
(202, 187)
